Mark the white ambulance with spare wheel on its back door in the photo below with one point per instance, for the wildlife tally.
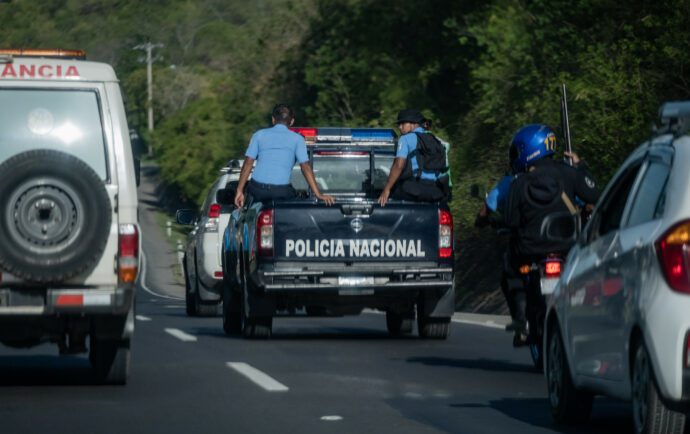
(69, 233)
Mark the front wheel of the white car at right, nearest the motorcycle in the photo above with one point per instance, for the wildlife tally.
(568, 405)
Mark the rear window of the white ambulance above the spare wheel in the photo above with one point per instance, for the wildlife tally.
(62, 120)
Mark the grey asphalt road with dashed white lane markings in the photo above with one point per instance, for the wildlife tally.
(322, 375)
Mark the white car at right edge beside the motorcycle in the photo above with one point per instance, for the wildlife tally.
(619, 321)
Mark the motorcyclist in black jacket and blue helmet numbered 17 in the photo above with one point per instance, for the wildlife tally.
(547, 186)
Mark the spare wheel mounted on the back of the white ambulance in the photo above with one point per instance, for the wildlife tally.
(52, 206)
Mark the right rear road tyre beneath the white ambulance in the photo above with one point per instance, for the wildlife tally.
(110, 359)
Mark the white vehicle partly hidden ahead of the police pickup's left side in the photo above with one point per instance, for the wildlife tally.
(202, 259)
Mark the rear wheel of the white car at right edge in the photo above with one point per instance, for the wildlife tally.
(649, 412)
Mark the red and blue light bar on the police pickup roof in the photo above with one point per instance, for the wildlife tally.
(347, 136)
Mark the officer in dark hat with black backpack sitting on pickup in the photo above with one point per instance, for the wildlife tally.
(422, 188)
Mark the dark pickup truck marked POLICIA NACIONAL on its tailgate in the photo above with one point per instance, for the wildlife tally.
(288, 257)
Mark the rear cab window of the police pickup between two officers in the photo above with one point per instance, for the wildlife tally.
(345, 173)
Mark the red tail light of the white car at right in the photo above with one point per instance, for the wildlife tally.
(672, 250)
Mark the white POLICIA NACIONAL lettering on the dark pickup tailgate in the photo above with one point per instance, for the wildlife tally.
(354, 248)
